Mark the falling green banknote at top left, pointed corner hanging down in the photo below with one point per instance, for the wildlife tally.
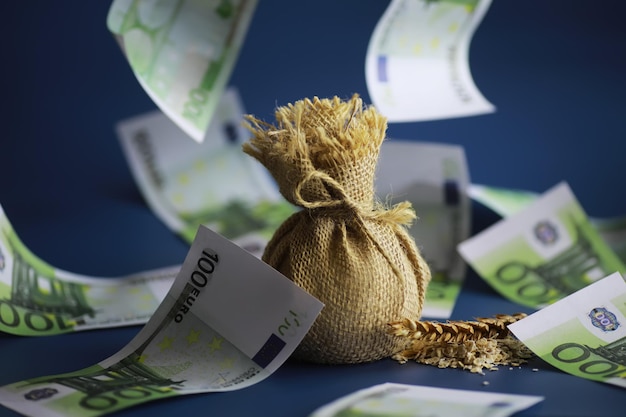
(182, 52)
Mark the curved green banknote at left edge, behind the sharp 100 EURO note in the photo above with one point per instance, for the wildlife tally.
(37, 299)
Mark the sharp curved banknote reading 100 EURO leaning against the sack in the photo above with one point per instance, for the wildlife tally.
(228, 322)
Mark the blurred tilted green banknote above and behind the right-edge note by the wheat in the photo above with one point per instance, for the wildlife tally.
(542, 253)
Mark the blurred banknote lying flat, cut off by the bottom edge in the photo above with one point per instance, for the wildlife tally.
(401, 400)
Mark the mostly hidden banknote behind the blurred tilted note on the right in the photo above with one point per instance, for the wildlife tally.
(506, 202)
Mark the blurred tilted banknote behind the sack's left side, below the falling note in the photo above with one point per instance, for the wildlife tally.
(213, 183)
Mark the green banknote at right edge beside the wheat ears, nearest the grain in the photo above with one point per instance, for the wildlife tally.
(583, 334)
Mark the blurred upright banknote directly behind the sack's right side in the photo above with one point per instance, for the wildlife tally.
(433, 177)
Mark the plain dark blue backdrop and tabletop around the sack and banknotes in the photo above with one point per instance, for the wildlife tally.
(555, 71)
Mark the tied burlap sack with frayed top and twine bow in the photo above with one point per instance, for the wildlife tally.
(343, 247)
